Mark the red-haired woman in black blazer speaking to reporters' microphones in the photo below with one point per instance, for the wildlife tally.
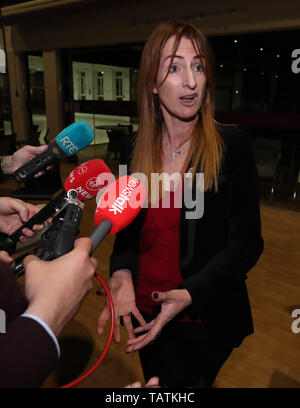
(178, 277)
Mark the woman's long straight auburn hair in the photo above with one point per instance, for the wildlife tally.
(206, 145)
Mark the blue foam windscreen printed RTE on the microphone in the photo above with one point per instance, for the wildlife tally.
(75, 137)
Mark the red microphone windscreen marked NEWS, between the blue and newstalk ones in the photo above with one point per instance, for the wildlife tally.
(86, 180)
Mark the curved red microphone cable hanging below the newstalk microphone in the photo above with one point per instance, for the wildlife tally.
(109, 340)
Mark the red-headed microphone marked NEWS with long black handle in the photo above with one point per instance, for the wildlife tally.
(82, 183)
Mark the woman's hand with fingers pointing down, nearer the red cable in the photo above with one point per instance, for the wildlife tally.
(122, 292)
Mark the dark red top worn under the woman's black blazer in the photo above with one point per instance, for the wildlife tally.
(159, 255)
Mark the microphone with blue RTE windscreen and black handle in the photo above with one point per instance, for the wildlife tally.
(68, 142)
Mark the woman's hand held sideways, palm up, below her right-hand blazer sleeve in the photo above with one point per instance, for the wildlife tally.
(172, 303)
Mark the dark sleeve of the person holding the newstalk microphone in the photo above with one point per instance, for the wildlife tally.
(28, 354)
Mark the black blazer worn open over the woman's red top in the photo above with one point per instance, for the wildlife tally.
(216, 250)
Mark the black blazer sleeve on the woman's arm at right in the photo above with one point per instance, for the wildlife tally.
(226, 268)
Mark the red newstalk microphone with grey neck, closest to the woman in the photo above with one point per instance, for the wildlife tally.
(117, 208)
